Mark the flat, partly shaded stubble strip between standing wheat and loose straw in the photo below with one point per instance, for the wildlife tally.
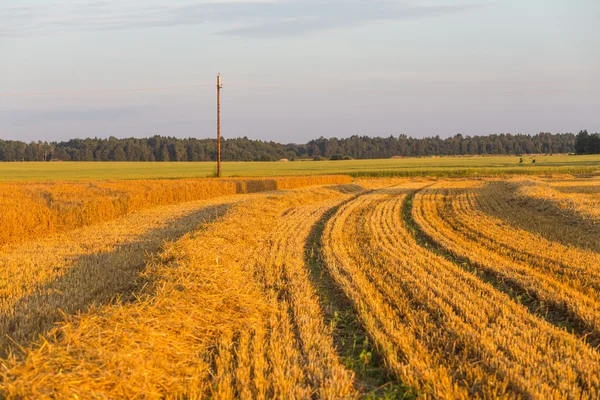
(44, 280)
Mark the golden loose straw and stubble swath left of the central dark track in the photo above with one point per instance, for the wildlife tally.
(238, 319)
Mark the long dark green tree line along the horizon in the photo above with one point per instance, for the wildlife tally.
(160, 148)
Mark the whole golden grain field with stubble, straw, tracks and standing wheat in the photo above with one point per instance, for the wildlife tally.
(302, 287)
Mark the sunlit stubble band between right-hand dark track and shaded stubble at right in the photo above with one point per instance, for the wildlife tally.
(447, 216)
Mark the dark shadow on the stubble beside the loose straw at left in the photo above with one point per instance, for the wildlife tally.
(93, 281)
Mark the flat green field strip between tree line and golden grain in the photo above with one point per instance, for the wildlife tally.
(443, 166)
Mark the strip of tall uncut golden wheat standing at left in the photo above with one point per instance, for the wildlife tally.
(30, 210)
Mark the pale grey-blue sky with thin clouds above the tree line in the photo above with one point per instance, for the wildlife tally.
(294, 70)
